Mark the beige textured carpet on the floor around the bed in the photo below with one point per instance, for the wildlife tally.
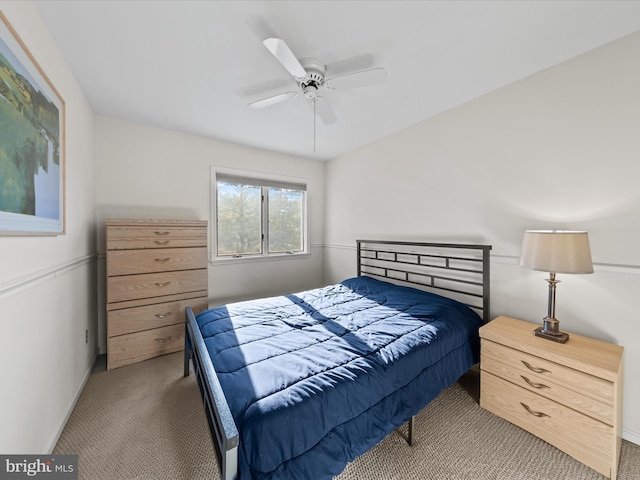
(146, 422)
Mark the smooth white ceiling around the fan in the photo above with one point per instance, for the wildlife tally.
(193, 66)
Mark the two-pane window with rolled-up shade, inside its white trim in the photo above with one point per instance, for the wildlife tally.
(258, 217)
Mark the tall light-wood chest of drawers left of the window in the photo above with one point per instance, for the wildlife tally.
(155, 268)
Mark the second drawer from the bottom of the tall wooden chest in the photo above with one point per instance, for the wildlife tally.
(147, 317)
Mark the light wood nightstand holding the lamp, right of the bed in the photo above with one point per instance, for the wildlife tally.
(569, 395)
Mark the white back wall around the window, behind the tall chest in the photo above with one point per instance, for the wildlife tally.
(147, 172)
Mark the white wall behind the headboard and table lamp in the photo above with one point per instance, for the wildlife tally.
(560, 149)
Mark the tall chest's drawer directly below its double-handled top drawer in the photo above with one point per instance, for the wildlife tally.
(129, 262)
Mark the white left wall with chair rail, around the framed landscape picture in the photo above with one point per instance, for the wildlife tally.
(48, 283)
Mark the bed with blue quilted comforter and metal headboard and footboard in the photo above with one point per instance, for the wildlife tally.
(299, 385)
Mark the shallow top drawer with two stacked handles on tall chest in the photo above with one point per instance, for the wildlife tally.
(135, 237)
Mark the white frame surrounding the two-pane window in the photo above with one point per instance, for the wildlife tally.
(268, 180)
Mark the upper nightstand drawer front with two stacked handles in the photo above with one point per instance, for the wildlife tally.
(585, 393)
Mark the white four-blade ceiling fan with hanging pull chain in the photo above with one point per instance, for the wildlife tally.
(311, 76)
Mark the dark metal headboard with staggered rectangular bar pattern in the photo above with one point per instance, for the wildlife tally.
(461, 270)
